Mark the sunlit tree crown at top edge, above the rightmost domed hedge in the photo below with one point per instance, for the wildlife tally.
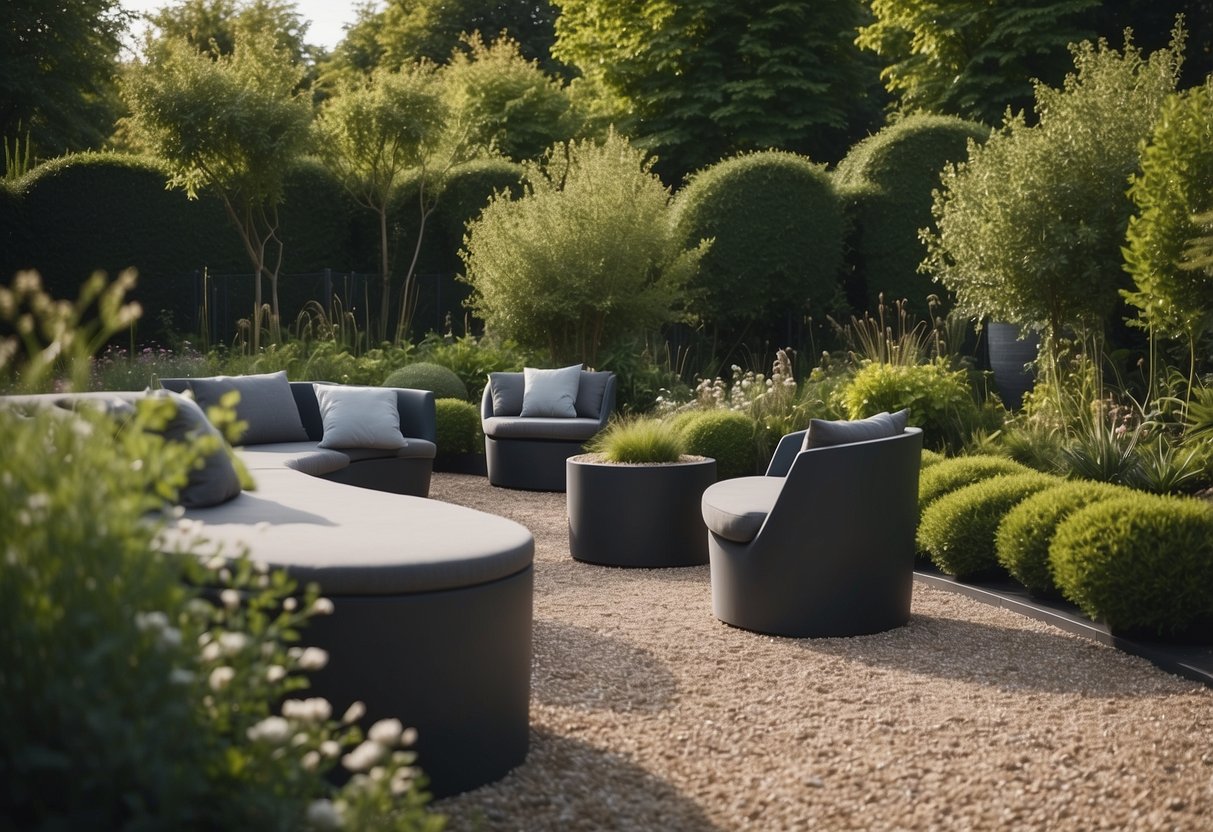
(972, 60)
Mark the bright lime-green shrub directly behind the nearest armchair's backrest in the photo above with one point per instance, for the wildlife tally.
(941, 401)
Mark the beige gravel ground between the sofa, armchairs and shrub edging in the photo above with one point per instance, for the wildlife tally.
(648, 714)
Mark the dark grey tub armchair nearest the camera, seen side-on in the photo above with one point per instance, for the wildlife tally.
(823, 545)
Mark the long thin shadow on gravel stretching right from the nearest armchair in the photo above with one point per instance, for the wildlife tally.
(995, 657)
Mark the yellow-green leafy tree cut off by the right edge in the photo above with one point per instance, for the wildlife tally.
(1175, 185)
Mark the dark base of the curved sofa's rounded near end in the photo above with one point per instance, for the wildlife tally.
(455, 665)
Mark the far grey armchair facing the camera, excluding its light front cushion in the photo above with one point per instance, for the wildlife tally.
(529, 453)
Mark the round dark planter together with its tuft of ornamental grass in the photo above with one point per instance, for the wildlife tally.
(635, 499)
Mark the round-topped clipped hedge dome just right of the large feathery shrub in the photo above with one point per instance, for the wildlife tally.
(777, 230)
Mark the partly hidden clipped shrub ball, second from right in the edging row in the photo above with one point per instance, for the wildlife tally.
(1026, 534)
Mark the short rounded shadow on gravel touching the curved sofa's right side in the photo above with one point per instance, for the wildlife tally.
(577, 668)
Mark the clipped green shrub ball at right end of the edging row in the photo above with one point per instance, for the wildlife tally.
(1140, 562)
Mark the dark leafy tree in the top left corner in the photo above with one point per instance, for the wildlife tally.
(58, 64)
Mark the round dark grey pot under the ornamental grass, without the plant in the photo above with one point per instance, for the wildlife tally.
(637, 515)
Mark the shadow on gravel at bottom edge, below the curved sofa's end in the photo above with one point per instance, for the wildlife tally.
(570, 785)
